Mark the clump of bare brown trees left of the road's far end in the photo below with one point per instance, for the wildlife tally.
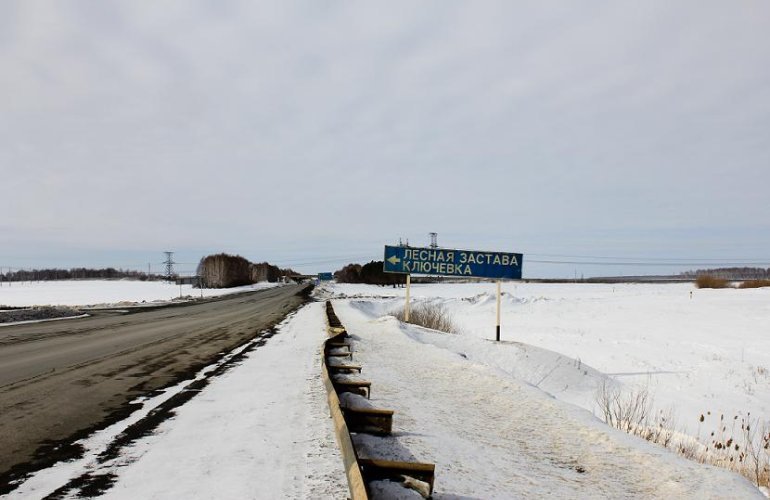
(224, 271)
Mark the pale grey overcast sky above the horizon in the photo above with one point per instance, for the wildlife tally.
(310, 134)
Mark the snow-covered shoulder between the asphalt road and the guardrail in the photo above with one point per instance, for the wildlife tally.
(260, 430)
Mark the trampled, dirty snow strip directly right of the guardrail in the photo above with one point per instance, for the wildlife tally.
(494, 436)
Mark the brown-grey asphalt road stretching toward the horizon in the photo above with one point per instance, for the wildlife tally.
(60, 380)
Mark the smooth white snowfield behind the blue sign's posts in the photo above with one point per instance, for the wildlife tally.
(699, 354)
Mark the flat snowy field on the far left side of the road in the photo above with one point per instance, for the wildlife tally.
(100, 292)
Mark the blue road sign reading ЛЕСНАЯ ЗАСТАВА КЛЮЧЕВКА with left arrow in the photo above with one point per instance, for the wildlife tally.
(449, 262)
